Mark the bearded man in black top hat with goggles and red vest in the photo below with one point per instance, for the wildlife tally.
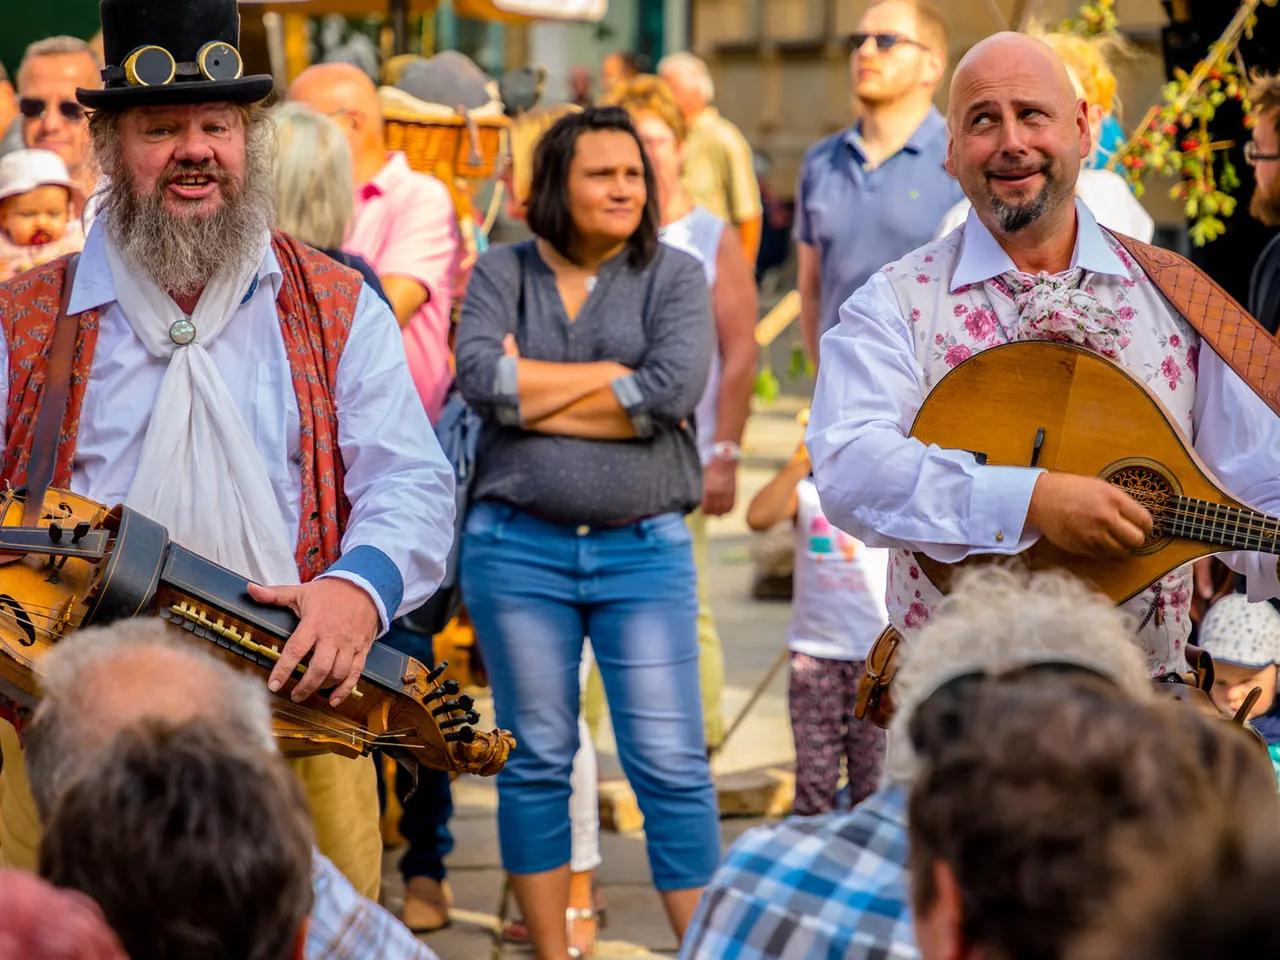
(243, 390)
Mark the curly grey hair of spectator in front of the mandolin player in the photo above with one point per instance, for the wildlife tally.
(998, 621)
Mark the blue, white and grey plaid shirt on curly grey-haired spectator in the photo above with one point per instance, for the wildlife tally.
(810, 888)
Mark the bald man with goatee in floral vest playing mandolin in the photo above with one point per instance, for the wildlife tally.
(1030, 252)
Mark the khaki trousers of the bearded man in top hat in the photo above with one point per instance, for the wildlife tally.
(342, 797)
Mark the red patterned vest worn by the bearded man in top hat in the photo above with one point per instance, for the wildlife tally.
(317, 307)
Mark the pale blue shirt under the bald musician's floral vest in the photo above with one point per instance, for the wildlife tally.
(892, 491)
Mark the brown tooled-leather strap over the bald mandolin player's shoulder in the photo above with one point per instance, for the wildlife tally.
(1228, 328)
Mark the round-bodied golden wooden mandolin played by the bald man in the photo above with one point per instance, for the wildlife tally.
(1057, 406)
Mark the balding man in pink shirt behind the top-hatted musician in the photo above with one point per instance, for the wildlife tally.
(405, 225)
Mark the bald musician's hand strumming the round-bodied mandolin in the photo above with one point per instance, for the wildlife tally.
(1087, 516)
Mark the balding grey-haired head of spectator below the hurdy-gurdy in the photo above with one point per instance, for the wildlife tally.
(102, 680)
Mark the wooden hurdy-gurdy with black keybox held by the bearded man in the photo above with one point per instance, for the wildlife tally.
(85, 565)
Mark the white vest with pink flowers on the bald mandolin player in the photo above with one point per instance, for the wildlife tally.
(1159, 348)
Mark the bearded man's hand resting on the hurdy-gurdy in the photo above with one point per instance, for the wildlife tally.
(337, 623)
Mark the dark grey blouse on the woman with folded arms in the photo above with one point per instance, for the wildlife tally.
(656, 321)
